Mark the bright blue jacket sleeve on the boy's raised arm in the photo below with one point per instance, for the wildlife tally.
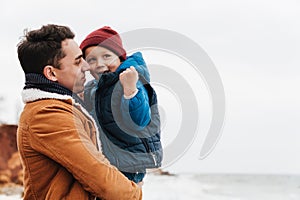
(136, 111)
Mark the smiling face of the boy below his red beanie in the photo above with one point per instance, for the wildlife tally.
(101, 60)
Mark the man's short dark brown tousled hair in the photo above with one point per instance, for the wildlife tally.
(42, 47)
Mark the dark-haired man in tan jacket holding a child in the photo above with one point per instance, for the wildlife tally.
(57, 138)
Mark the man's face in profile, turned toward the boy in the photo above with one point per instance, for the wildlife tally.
(72, 67)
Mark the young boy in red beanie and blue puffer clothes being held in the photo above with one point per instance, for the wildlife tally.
(124, 103)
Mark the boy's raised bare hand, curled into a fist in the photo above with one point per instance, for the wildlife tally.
(128, 79)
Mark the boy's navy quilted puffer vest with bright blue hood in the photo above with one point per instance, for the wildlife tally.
(128, 148)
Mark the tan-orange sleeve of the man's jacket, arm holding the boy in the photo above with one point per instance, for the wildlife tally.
(61, 136)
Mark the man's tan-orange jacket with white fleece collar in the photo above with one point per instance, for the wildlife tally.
(58, 143)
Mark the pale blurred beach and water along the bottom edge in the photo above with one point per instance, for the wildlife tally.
(214, 187)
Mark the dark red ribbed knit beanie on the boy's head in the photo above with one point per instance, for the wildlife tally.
(107, 38)
